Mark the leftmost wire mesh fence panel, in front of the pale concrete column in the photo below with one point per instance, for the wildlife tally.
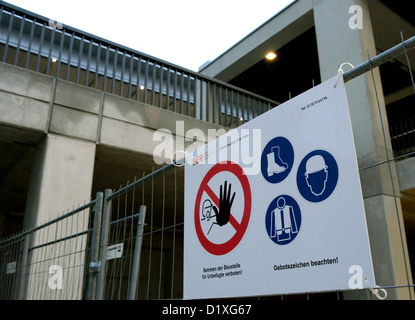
(34, 263)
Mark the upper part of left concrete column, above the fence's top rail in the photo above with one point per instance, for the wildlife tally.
(61, 178)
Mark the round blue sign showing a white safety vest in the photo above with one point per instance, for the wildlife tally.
(283, 220)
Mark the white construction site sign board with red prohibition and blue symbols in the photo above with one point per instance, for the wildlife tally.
(275, 206)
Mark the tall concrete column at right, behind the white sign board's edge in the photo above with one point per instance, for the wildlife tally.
(338, 43)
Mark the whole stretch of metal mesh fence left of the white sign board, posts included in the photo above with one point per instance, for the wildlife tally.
(125, 244)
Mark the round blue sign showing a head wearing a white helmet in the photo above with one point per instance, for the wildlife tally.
(317, 176)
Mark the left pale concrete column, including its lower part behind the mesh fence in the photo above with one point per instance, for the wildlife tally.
(61, 180)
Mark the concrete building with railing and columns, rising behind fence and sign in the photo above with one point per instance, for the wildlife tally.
(78, 113)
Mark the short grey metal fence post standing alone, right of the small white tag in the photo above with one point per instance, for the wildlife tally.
(137, 254)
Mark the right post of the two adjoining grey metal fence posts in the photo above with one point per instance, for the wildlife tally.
(106, 213)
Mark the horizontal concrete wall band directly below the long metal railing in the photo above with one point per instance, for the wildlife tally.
(41, 103)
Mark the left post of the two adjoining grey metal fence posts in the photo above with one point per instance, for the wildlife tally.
(94, 262)
